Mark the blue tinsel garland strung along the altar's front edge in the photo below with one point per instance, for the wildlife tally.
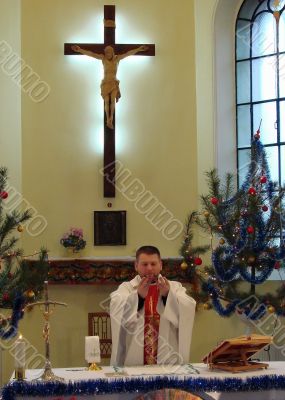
(100, 386)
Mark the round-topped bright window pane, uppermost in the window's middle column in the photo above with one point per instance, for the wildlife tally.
(263, 35)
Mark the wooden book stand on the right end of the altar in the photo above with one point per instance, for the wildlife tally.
(233, 354)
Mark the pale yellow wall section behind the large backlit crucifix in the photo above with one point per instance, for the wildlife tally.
(155, 125)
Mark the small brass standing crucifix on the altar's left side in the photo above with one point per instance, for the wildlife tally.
(47, 375)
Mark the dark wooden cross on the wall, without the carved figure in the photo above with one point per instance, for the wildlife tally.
(109, 133)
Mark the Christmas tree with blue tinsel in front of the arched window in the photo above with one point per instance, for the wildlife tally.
(249, 226)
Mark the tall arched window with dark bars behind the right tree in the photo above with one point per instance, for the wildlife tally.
(260, 82)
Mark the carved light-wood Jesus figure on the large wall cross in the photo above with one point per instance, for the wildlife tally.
(110, 90)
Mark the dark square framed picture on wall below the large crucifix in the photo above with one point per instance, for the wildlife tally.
(110, 228)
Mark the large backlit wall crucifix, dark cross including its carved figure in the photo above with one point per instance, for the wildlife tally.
(110, 53)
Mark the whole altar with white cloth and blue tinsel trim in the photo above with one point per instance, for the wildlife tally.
(133, 383)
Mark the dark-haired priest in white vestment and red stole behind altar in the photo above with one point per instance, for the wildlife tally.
(151, 317)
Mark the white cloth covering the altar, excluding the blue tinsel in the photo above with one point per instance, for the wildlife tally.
(110, 374)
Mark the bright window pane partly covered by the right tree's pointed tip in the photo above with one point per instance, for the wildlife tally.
(267, 113)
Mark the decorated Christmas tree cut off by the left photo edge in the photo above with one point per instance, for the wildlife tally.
(21, 281)
